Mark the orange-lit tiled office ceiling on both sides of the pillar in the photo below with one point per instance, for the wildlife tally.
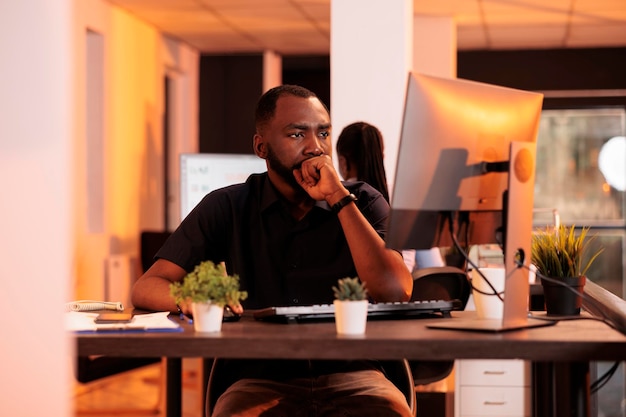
(302, 27)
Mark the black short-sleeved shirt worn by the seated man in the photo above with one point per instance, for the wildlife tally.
(280, 260)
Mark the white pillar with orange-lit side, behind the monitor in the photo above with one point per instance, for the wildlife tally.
(374, 45)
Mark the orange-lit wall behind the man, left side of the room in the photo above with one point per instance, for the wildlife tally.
(135, 60)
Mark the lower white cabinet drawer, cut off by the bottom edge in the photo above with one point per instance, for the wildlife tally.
(494, 401)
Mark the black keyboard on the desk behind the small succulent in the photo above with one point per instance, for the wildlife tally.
(389, 311)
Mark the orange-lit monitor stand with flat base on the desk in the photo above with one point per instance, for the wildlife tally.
(518, 220)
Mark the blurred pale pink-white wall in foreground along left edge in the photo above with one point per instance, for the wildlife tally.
(36, 205)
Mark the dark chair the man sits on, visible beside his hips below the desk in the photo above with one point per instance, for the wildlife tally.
(397, 371)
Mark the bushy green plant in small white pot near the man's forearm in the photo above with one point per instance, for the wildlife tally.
(209, 288)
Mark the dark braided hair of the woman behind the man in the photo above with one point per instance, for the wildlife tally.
(362, 145)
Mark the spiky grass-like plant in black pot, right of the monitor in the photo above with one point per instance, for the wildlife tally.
(562, 259)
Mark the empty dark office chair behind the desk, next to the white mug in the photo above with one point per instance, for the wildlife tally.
(438, 283)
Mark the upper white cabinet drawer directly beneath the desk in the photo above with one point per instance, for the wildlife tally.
(494, 373)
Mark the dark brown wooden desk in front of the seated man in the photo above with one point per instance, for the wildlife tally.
(568, 343)
